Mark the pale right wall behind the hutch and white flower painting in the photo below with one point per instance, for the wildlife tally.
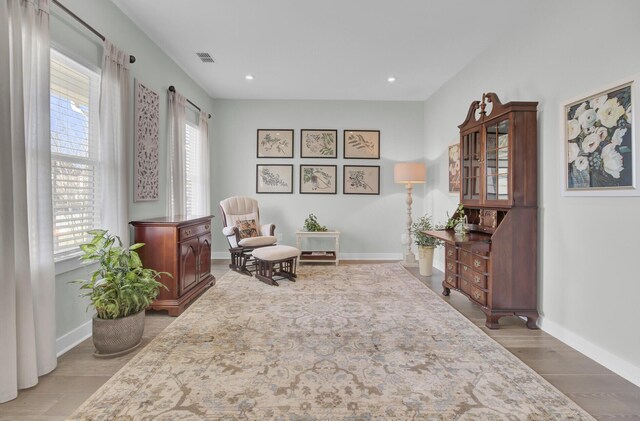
(588, 285)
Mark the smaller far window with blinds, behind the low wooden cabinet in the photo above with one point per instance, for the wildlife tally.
(193, 162)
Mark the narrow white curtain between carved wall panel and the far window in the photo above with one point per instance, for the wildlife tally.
(177, 201)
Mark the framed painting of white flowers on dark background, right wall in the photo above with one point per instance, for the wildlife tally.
(599, 142)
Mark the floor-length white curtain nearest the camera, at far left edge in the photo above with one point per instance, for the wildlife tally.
(27, 301)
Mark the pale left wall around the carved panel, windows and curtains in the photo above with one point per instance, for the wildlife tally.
(153, 68)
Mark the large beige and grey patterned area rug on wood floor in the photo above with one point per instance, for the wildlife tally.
(354, 342)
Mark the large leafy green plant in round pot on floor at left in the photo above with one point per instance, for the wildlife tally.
(120, 290)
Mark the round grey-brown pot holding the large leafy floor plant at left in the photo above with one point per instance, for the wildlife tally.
(115, 337)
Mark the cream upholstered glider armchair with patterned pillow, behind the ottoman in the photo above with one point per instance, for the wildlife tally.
(244, 232)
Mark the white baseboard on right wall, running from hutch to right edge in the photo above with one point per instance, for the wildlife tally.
(611, 361)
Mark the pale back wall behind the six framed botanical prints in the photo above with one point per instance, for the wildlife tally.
(371, 226)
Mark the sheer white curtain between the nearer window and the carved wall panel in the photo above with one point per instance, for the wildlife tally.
(114, 140)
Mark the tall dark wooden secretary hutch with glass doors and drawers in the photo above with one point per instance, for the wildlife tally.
(495, 264)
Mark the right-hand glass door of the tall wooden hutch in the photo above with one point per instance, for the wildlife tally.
(497, 162)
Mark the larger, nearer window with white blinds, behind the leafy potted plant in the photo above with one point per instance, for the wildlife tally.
(74, 96)
